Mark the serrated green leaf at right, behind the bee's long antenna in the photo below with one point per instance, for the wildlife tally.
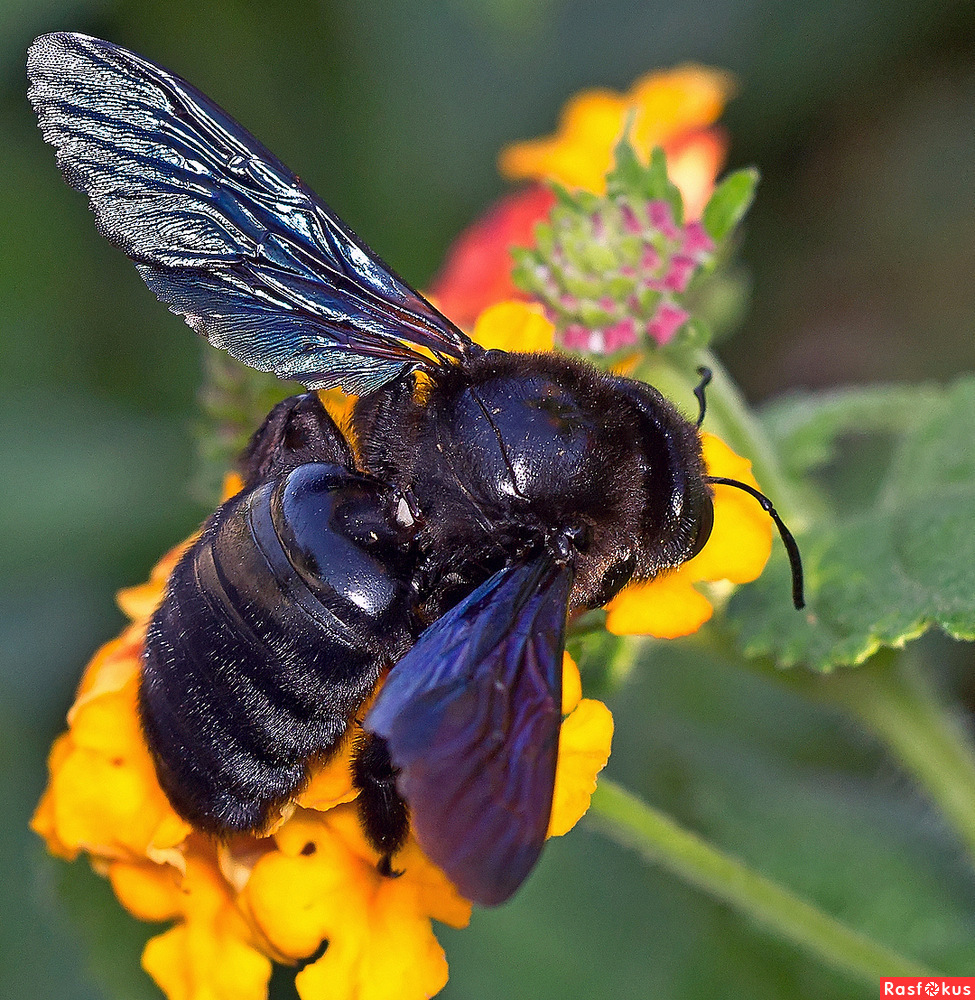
(887, 572)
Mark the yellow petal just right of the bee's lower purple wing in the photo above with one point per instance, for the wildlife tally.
(584, 745)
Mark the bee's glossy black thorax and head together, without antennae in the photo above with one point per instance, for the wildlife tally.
(603, 467)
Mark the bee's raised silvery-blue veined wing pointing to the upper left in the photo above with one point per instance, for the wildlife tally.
(221, 230)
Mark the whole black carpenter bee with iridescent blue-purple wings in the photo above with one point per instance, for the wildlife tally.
(490, 494)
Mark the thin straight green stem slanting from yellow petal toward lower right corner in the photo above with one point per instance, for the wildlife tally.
(660, 840)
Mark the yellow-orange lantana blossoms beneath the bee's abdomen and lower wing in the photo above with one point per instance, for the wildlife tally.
(311, 881)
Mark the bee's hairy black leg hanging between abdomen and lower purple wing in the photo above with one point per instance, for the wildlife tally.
(383, 814)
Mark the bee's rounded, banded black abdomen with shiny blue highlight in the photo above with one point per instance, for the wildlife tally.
(261, 651)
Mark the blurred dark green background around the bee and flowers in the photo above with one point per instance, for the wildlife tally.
(860, 115)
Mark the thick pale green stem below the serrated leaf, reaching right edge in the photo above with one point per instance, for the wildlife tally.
(893, 697)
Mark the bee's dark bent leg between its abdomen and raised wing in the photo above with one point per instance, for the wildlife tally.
(297, 431)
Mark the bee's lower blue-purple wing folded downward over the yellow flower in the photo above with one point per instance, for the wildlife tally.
(471, 715)
